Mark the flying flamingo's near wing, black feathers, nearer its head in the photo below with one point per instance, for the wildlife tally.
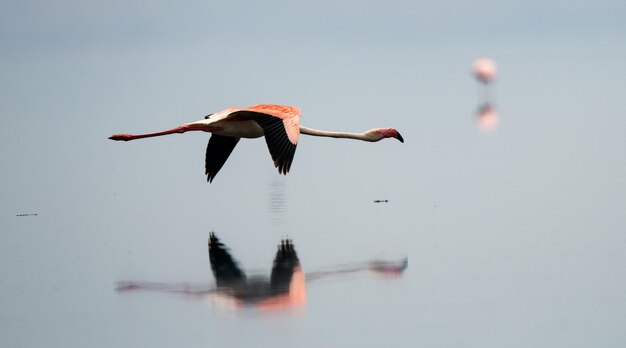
(280, 146)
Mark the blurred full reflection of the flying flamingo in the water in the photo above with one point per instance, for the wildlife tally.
(285, 288)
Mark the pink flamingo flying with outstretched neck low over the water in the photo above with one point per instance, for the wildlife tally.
(280, 124)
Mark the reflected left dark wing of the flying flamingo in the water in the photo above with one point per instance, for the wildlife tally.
(224, 267)
